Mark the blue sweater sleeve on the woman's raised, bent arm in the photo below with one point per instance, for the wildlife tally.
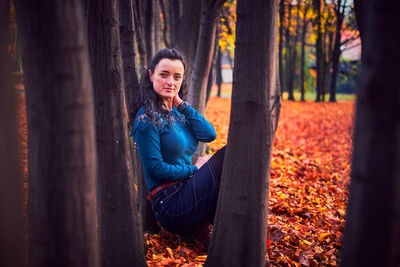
(202, 130)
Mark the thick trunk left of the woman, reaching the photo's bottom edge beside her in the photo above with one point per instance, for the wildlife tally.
(120, 232)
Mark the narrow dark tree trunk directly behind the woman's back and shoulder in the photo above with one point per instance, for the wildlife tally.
(132, 96)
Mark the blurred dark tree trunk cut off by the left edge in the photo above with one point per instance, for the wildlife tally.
(12, 249)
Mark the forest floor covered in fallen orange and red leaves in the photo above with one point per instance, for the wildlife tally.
(311, 162)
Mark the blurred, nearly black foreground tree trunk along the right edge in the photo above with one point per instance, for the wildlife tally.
(372, 234)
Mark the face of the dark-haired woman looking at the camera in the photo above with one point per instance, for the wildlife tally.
(167, 78)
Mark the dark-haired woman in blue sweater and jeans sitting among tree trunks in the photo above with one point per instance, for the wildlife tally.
(167, 131)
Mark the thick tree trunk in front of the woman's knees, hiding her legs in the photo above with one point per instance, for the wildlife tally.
(241, 216)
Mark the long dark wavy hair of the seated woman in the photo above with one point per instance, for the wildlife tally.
(150, 101)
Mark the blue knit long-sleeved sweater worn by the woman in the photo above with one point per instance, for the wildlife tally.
(166, 148)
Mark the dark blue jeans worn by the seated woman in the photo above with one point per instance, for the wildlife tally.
(182, 207)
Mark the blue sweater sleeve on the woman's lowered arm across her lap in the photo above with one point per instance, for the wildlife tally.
(148, 141)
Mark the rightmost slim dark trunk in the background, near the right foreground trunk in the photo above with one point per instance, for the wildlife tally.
(336, 53)
